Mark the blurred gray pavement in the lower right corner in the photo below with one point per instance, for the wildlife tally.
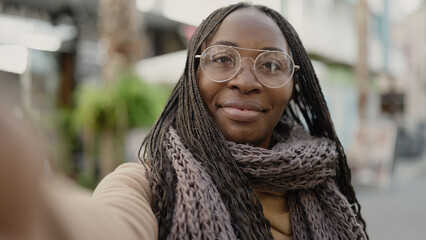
(400, 211)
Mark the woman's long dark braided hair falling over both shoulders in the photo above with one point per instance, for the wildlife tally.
(186, 112)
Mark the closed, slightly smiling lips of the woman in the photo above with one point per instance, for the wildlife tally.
(242, 110)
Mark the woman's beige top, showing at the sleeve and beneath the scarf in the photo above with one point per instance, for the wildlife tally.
(120, 208)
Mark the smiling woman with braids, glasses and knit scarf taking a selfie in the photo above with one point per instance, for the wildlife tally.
(227, 158)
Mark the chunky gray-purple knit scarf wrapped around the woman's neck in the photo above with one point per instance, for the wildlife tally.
(300, 165)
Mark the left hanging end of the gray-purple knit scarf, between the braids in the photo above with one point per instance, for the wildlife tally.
(199, 212)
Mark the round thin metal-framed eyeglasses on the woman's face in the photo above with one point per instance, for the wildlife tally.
(221, 63)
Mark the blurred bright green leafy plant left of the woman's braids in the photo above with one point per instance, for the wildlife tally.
(130, 101)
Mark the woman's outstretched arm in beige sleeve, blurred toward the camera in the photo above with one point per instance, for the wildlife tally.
(35, 207)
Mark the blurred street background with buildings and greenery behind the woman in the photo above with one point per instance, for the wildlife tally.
(93, 76)
